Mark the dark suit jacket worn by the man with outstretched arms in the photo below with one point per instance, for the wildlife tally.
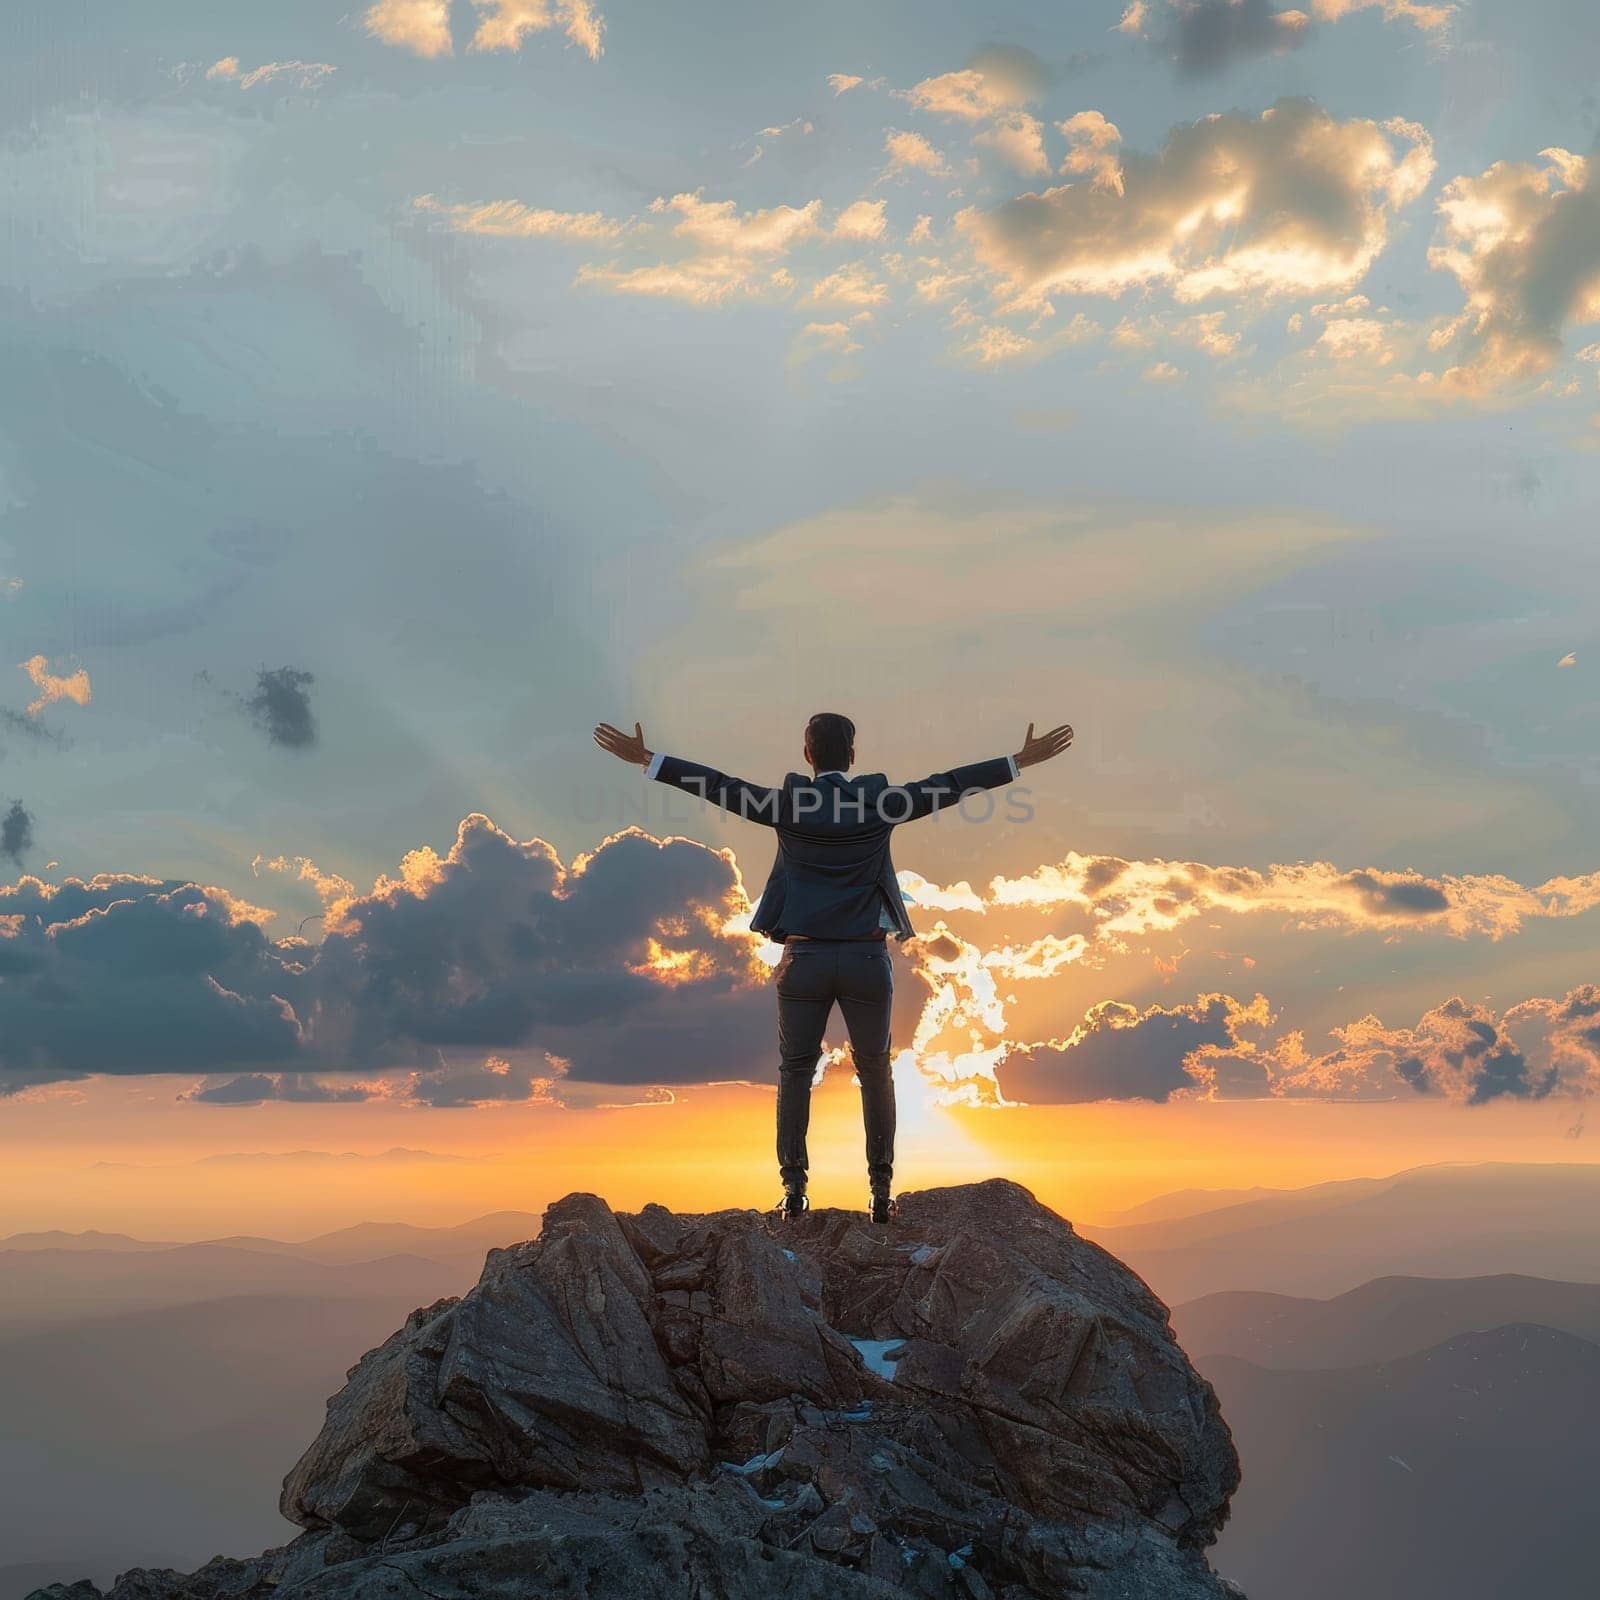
(833, 878)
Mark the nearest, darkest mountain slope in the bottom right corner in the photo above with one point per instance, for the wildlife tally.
(1454, 1474)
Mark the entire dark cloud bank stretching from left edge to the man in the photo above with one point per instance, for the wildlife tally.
(615, 966)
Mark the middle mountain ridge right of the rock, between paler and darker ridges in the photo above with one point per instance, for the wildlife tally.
(1378, 1322)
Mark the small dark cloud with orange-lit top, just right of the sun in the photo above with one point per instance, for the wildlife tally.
(1119, 1052)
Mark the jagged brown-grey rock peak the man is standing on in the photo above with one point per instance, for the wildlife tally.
(974, 1402)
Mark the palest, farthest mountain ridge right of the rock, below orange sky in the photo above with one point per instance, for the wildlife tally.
(1438, 1222)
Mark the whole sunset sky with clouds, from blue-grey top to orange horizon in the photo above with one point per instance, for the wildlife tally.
(391, 393)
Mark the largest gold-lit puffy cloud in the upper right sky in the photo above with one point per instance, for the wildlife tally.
(1286, 202)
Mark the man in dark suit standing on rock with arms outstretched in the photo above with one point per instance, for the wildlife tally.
(833, 902)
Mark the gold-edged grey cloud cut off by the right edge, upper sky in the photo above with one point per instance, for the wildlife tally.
(1524, 244)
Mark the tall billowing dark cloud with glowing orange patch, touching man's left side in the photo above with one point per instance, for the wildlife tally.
(510, 950)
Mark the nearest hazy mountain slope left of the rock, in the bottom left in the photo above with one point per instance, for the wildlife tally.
(162, 1436)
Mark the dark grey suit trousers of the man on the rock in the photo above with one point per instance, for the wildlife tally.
(810, 978)
